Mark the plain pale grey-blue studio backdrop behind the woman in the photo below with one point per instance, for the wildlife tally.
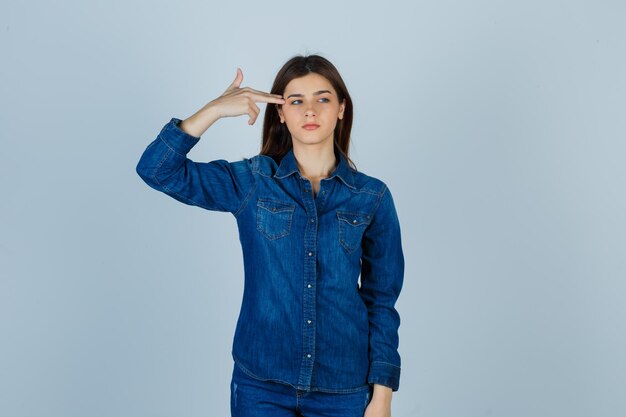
(499, 127)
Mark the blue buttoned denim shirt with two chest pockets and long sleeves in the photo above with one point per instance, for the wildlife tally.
(322, 273)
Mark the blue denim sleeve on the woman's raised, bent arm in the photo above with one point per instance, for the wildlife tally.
(217, 185)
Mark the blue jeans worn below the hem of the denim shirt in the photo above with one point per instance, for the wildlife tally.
(252, 397)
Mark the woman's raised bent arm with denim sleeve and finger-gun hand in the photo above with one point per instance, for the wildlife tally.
(216, 185)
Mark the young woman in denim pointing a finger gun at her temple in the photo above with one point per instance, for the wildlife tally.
(317, 333)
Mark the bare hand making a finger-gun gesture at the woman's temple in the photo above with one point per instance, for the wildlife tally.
(235, 101)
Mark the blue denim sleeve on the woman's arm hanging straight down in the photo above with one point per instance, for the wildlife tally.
(382, 274)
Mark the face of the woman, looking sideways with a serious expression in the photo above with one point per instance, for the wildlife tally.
(311, 100)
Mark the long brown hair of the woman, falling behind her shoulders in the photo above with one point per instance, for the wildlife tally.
(276, 137)
